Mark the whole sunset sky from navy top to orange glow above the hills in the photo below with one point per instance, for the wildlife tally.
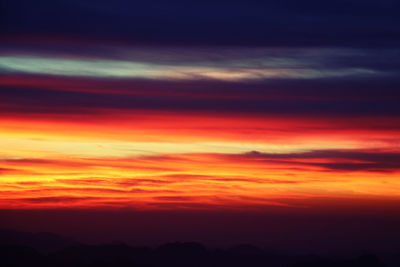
(160, 107)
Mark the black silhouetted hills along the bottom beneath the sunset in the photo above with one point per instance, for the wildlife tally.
(45, 249)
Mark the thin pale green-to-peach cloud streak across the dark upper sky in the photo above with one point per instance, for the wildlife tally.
(230, 71)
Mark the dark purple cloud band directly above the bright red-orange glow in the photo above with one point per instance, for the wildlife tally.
(19, 100)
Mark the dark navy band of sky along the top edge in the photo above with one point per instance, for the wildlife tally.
(368, 23)
